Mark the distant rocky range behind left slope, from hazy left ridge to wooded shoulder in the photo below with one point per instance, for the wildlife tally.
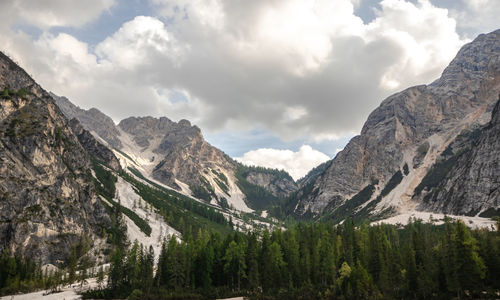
(176, 155)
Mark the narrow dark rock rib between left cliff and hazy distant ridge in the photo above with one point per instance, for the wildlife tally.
(93, 147)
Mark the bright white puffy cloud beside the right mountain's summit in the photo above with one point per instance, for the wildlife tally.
(426, 36)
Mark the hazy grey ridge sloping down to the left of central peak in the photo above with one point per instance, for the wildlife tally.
(92, 120)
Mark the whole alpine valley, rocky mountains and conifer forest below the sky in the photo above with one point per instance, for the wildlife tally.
(75, 187)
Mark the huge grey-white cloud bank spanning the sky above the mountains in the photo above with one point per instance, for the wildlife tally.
(301, 69)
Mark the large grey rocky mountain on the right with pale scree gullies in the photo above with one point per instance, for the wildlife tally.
(400, 143)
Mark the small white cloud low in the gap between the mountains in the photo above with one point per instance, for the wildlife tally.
(297, 164)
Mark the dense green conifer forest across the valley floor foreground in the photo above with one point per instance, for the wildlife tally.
(315, 261)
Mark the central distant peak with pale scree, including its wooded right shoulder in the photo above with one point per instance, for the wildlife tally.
(176, 154)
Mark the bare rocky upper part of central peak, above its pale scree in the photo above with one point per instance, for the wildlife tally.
(180, 151)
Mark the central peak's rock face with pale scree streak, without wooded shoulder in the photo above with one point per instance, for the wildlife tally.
(181, 155)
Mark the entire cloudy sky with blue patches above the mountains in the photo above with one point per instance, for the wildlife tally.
(276, 83)
